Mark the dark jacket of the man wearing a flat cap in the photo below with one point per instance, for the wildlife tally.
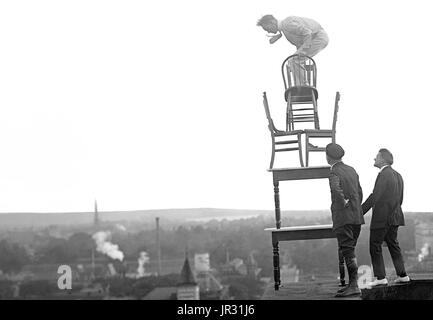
(344, 184)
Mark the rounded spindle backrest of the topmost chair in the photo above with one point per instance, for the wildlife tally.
(296, 67)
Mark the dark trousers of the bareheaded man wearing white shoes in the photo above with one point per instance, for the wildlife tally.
(389, 235)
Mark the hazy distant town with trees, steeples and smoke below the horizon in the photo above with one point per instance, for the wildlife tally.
(206, 254)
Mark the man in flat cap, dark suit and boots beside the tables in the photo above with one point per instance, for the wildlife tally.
(347, 217)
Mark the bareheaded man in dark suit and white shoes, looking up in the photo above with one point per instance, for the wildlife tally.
(386, 201)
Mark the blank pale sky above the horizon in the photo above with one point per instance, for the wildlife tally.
(158, 104)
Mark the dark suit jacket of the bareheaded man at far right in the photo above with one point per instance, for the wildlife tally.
(386, 200)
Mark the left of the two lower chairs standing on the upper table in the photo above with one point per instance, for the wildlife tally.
(276, 134)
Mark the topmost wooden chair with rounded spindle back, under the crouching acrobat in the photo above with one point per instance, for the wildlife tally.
(300, 76)
